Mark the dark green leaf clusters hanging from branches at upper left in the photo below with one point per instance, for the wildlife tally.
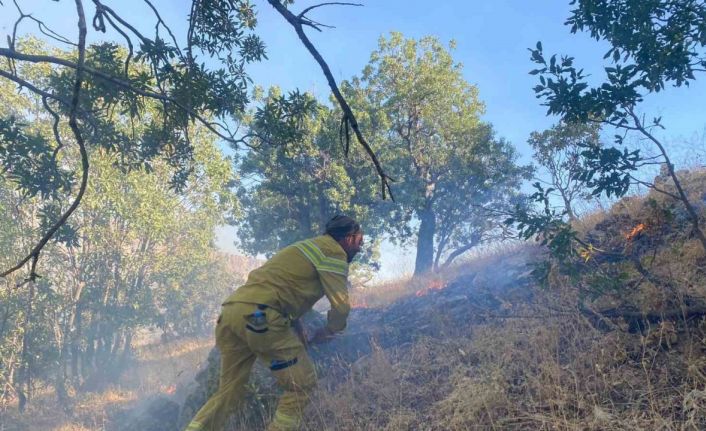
(143, 105)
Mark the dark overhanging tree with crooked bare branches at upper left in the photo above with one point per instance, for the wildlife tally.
(201, 81)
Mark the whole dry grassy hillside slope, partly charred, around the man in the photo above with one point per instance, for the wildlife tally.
(612, 340)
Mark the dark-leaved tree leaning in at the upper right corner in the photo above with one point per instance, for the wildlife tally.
(652, 44)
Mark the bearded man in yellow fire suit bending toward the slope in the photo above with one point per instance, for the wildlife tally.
(260, 321)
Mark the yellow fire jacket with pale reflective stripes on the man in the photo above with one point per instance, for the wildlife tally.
(295, 278)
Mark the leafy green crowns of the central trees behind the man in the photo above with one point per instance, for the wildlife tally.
(422, 118)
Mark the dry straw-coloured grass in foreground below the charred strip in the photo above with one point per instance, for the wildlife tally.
(551, 373)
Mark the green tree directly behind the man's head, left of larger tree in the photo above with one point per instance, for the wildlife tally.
(289, 192)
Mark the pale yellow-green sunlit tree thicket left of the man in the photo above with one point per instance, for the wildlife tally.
(143, 253)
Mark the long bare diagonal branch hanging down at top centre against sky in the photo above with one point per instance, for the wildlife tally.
(348, 116)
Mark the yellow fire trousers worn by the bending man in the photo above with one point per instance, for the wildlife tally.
(245, 332)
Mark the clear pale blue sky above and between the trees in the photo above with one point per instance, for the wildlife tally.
(491, 38)
